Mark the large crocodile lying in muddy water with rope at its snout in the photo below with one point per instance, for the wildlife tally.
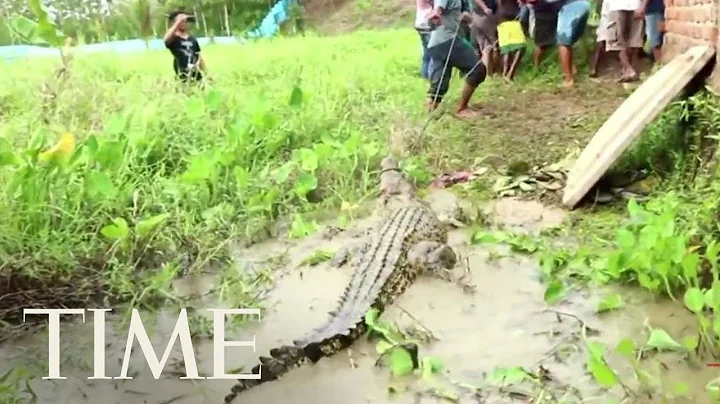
(409, 241)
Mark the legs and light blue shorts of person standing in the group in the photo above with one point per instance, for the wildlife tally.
(572, 20)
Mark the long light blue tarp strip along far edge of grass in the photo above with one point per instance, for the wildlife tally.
(268, 27)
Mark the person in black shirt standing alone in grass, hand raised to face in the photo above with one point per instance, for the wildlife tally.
(188, 63)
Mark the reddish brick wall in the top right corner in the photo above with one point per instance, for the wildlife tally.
(688, 23)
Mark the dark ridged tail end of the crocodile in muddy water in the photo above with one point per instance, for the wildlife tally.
(285, 358)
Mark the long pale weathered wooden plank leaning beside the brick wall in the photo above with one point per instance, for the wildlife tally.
(628, 121)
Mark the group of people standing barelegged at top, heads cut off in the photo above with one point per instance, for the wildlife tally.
(472, 35)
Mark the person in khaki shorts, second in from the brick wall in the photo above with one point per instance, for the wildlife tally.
(626, 30)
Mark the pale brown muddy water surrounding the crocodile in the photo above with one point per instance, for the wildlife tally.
(504, 323)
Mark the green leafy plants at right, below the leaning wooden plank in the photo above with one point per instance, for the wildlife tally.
(667, 244)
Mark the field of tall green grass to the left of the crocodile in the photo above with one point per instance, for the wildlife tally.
(161, 177)
